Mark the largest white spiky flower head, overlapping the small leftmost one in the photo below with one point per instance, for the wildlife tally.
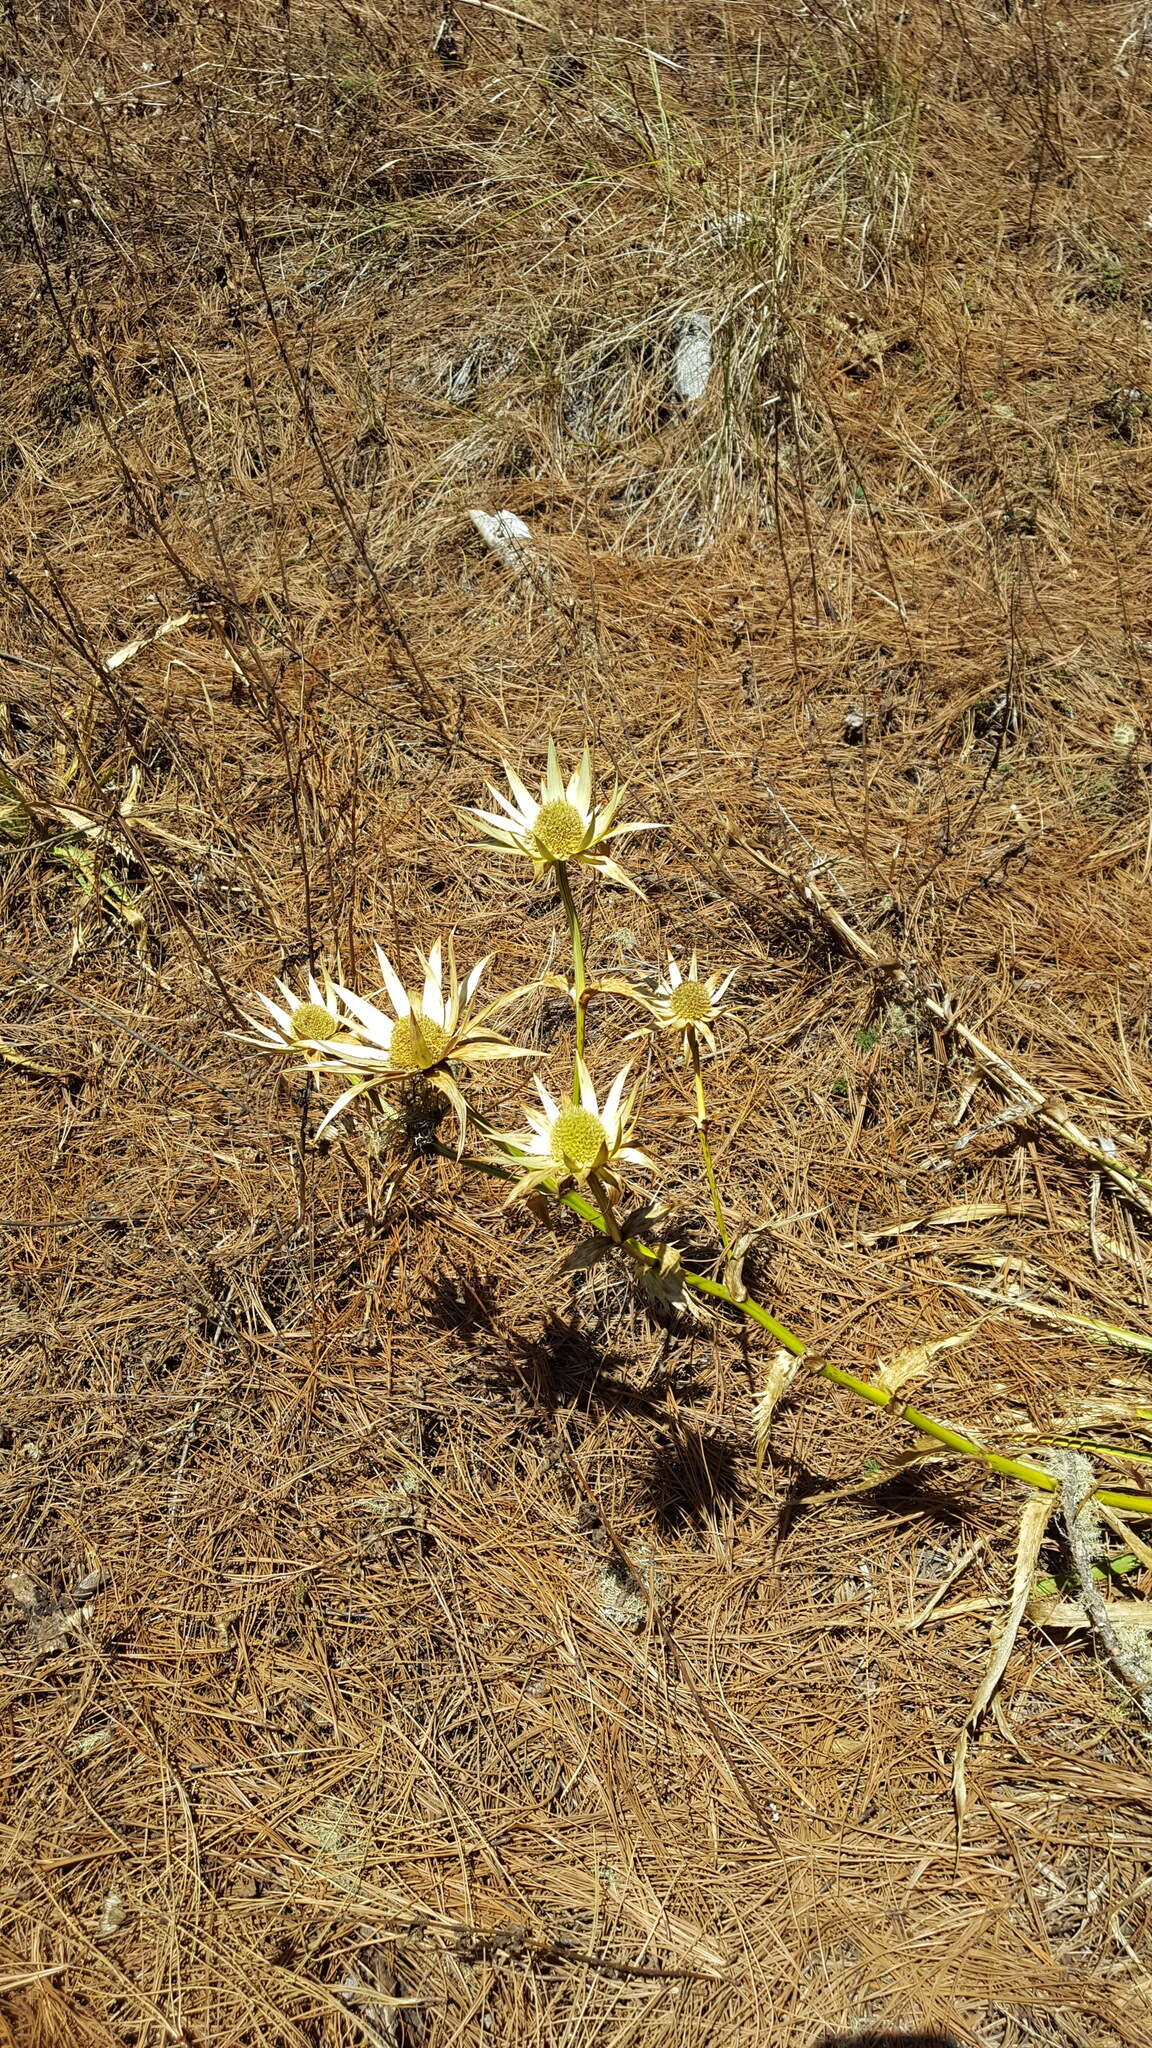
(425, 1035)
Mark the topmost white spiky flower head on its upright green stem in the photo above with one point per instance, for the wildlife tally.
(565, 824)
